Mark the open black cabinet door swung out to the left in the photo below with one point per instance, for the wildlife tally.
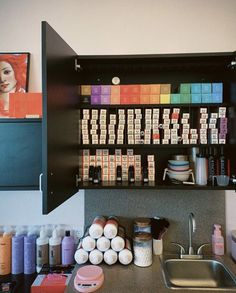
(60, 120)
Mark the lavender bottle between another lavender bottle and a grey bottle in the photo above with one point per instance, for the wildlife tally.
(30, 252)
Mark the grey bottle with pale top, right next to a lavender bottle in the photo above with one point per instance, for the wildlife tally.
(42, 248)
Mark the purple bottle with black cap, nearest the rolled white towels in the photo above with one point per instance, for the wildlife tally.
(68, 249)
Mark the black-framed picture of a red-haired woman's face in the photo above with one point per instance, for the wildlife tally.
(14, 76)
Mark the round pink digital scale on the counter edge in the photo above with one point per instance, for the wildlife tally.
(88, 278)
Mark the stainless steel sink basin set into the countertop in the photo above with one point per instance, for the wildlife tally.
(197, 274)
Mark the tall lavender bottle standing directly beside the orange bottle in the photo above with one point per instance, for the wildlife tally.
(17, 262)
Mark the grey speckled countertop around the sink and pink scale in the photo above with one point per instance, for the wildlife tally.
(127, 279)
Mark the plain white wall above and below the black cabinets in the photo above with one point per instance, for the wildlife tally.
(109, 27)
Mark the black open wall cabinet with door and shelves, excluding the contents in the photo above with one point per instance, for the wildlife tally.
(64, 72)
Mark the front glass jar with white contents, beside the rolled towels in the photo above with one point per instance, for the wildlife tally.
(142, 249)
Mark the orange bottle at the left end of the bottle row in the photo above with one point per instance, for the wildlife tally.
(5, 253)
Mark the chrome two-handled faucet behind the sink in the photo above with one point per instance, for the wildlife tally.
(191, 229)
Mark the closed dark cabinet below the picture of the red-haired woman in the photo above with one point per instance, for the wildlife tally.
(20, 149)
